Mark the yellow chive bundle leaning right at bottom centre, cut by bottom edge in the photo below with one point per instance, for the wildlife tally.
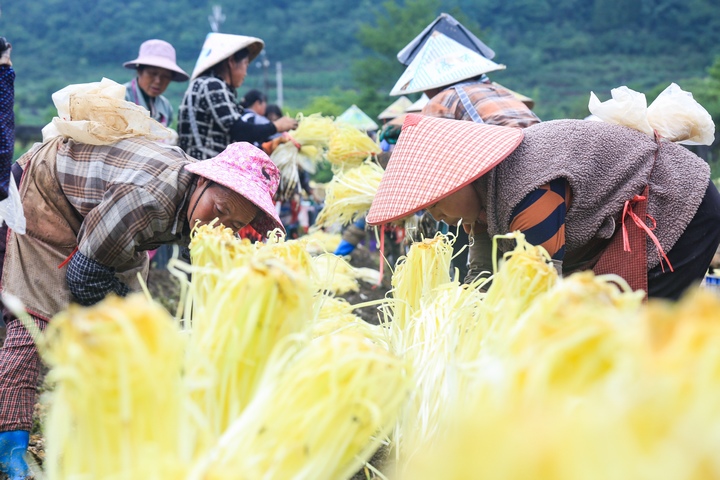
(320, 413)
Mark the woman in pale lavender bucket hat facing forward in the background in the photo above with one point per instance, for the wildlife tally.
(156, 68)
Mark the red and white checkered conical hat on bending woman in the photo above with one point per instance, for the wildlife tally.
(435, 157)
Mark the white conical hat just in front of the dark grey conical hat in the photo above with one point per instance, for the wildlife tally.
(441, 62)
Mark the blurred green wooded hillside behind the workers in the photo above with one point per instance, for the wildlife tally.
(335, 53)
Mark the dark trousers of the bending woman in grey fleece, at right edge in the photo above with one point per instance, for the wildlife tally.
(692, 253)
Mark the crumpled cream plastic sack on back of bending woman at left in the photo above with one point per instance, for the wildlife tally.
(98, 114)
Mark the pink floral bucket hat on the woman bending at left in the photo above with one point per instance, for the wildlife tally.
(247, 170)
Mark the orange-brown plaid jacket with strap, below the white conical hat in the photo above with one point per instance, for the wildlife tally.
(495, 104)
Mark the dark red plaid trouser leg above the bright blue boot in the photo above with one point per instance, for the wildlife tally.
(19, 374)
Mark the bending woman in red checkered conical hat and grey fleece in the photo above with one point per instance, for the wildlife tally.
(594, 195)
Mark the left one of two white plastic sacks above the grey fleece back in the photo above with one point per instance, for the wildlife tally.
(627, 107)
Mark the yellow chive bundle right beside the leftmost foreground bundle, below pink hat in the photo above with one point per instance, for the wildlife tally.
(236, 326)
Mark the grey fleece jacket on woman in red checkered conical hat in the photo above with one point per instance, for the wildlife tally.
(605, 165)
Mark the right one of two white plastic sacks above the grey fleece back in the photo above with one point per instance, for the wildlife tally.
(678, 117)
